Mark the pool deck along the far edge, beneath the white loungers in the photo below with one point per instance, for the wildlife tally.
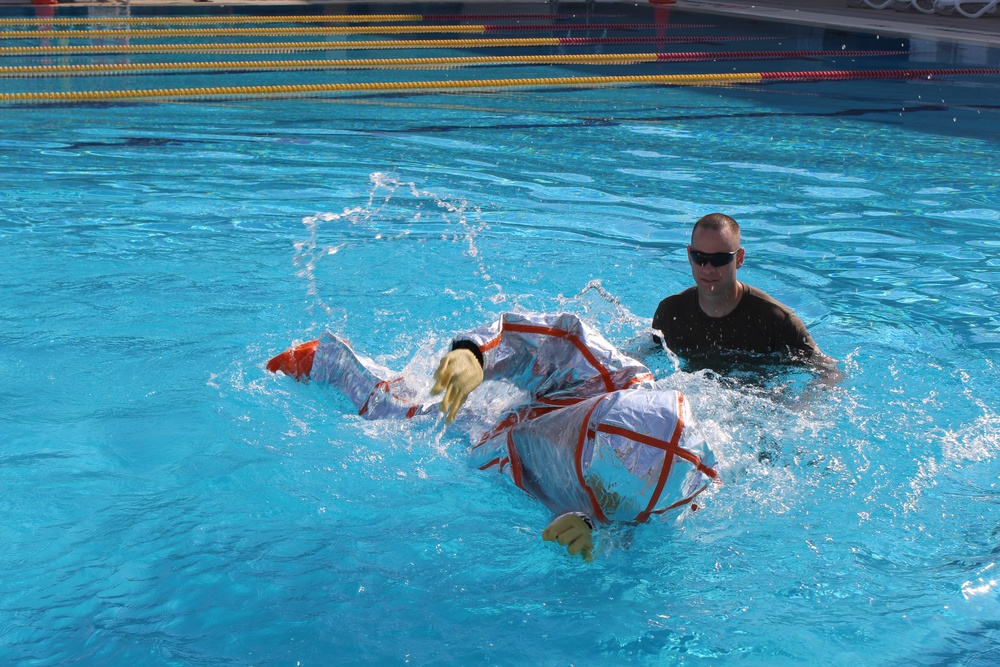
(984, 31)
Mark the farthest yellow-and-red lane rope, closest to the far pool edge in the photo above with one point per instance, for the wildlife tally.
(322, 18)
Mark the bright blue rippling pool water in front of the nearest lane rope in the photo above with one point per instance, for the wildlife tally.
(168, 502)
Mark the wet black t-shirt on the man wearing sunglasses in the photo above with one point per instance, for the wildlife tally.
(760, 324)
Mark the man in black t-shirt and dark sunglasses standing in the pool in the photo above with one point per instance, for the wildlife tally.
(721, 314)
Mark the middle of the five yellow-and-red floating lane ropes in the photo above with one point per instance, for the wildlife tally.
(388, 44)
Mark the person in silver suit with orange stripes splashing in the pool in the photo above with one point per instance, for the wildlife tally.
(595, 441)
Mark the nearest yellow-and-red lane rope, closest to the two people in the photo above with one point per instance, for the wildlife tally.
(480, 84)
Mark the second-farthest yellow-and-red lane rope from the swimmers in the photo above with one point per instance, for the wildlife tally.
(477, 29)
